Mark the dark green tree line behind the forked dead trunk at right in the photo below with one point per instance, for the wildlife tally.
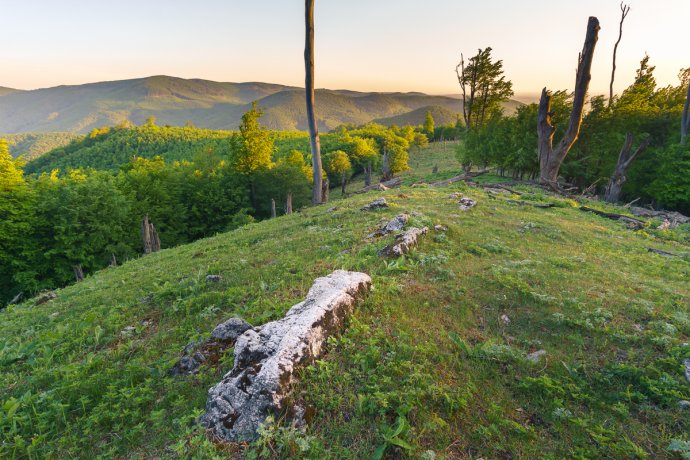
(625, 146)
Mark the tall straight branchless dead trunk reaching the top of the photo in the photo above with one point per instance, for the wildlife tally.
(311, 117)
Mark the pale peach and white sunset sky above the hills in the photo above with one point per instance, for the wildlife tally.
(365, 45)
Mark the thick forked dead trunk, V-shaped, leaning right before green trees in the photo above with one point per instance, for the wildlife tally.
(550, 159)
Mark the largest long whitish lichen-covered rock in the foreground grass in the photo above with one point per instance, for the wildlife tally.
(267, 357)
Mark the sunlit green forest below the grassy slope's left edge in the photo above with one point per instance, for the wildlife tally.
(54, 225)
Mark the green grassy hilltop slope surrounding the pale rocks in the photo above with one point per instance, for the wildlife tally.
(429, 366)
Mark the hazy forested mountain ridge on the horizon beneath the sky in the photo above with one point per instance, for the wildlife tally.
(206, 104)
